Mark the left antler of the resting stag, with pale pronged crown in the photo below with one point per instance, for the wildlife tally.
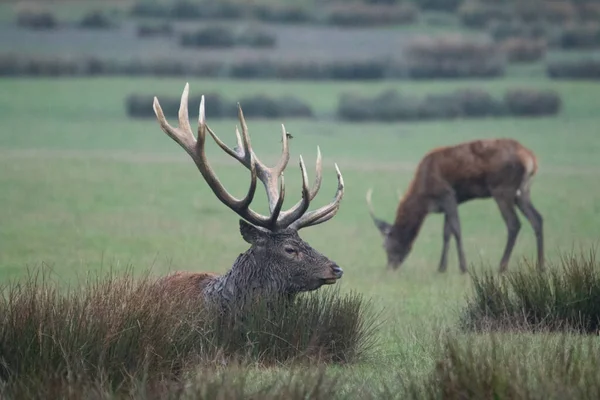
(195, 148)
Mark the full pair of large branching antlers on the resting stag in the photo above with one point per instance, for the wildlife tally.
(296, 216)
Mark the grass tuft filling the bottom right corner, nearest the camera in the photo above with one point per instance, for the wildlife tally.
(493, 367)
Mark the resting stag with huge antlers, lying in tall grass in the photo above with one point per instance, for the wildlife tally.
(278, 262)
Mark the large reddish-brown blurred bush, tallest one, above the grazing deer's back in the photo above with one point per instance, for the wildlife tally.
(453, 57)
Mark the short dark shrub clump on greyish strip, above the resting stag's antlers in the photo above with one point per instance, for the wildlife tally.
(220, 36)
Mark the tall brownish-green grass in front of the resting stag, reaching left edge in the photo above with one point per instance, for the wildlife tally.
(113, 329)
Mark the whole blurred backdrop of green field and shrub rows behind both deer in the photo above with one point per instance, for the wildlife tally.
(89, 182)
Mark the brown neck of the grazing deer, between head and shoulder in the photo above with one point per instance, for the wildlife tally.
(410, 216)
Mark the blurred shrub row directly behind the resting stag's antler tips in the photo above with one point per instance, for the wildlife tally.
(258, 106)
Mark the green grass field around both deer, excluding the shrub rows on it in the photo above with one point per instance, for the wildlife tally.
(82, 187)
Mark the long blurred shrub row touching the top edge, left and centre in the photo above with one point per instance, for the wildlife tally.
(341, 13)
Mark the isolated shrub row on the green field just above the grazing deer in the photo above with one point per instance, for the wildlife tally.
(468, 103)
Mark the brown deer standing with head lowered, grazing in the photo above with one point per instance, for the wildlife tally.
(449, 176)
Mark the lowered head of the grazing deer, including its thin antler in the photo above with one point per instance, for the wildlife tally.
(395, 244)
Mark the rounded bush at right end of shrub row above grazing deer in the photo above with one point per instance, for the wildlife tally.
(528, 102)
